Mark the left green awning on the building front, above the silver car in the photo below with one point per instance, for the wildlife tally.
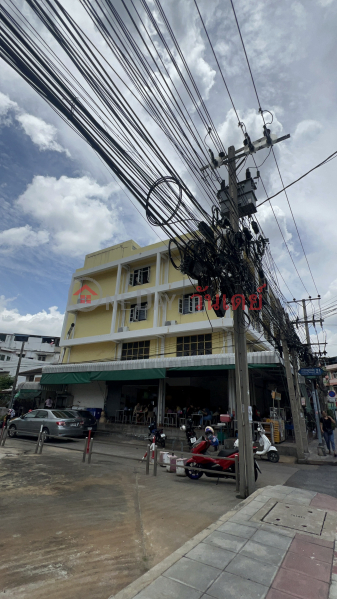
(73, 378)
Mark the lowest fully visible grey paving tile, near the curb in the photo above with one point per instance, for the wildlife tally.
(194, 574)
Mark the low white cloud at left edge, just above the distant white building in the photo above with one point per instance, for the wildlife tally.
(41, 323)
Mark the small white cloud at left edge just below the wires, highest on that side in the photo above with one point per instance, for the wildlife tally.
(41, 133)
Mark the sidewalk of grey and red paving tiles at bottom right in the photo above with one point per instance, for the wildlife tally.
(279, 544)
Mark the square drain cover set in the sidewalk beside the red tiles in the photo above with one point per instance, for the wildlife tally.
(298, 517)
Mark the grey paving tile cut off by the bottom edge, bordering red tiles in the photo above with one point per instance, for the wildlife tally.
(229, 586)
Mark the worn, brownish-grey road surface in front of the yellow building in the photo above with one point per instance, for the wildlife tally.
(75, 530)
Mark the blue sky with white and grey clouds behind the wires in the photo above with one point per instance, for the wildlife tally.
(58, 201)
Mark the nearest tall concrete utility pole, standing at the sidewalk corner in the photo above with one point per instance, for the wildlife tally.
(247, 474)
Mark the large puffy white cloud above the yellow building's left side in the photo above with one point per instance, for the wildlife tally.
(77, 212)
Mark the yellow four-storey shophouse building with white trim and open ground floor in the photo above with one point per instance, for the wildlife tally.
(132, 331)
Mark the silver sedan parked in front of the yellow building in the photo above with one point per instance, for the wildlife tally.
(55, 422)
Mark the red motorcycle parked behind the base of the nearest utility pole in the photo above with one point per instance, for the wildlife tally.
(217, 466)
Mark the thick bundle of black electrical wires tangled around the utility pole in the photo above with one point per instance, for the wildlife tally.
(100, 104)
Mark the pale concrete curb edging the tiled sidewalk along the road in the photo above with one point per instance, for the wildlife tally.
(143, 581)
